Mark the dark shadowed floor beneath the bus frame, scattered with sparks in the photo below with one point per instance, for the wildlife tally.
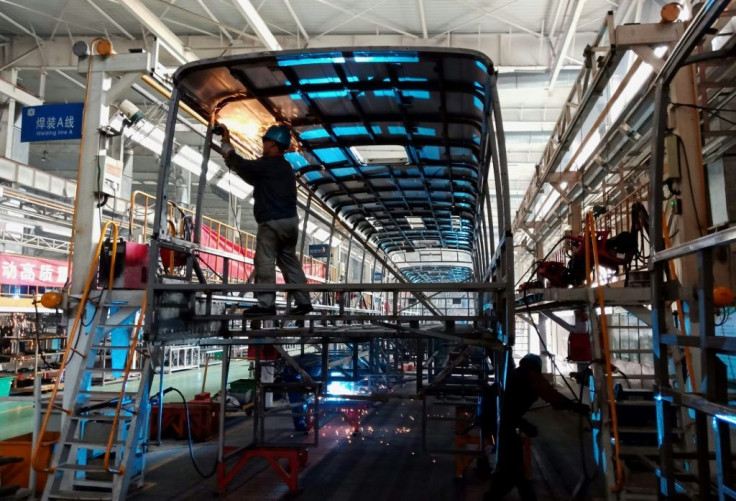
(384, 462)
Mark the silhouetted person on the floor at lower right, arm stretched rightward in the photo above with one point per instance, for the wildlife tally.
(525, 384)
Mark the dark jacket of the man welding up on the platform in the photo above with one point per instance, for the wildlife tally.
(274, 185)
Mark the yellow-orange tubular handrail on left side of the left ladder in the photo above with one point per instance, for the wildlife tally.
(73, 332)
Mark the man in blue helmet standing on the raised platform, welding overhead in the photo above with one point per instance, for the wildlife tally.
(274, 194)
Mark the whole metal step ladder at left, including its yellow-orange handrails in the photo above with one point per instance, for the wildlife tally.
(102, 433)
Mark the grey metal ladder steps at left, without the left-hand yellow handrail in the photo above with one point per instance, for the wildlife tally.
(103, 434)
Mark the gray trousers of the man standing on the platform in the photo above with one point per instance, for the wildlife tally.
(276, 245)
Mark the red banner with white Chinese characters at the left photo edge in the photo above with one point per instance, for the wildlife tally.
(21, 270)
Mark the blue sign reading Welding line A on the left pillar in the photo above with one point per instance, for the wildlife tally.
(51, 122)
